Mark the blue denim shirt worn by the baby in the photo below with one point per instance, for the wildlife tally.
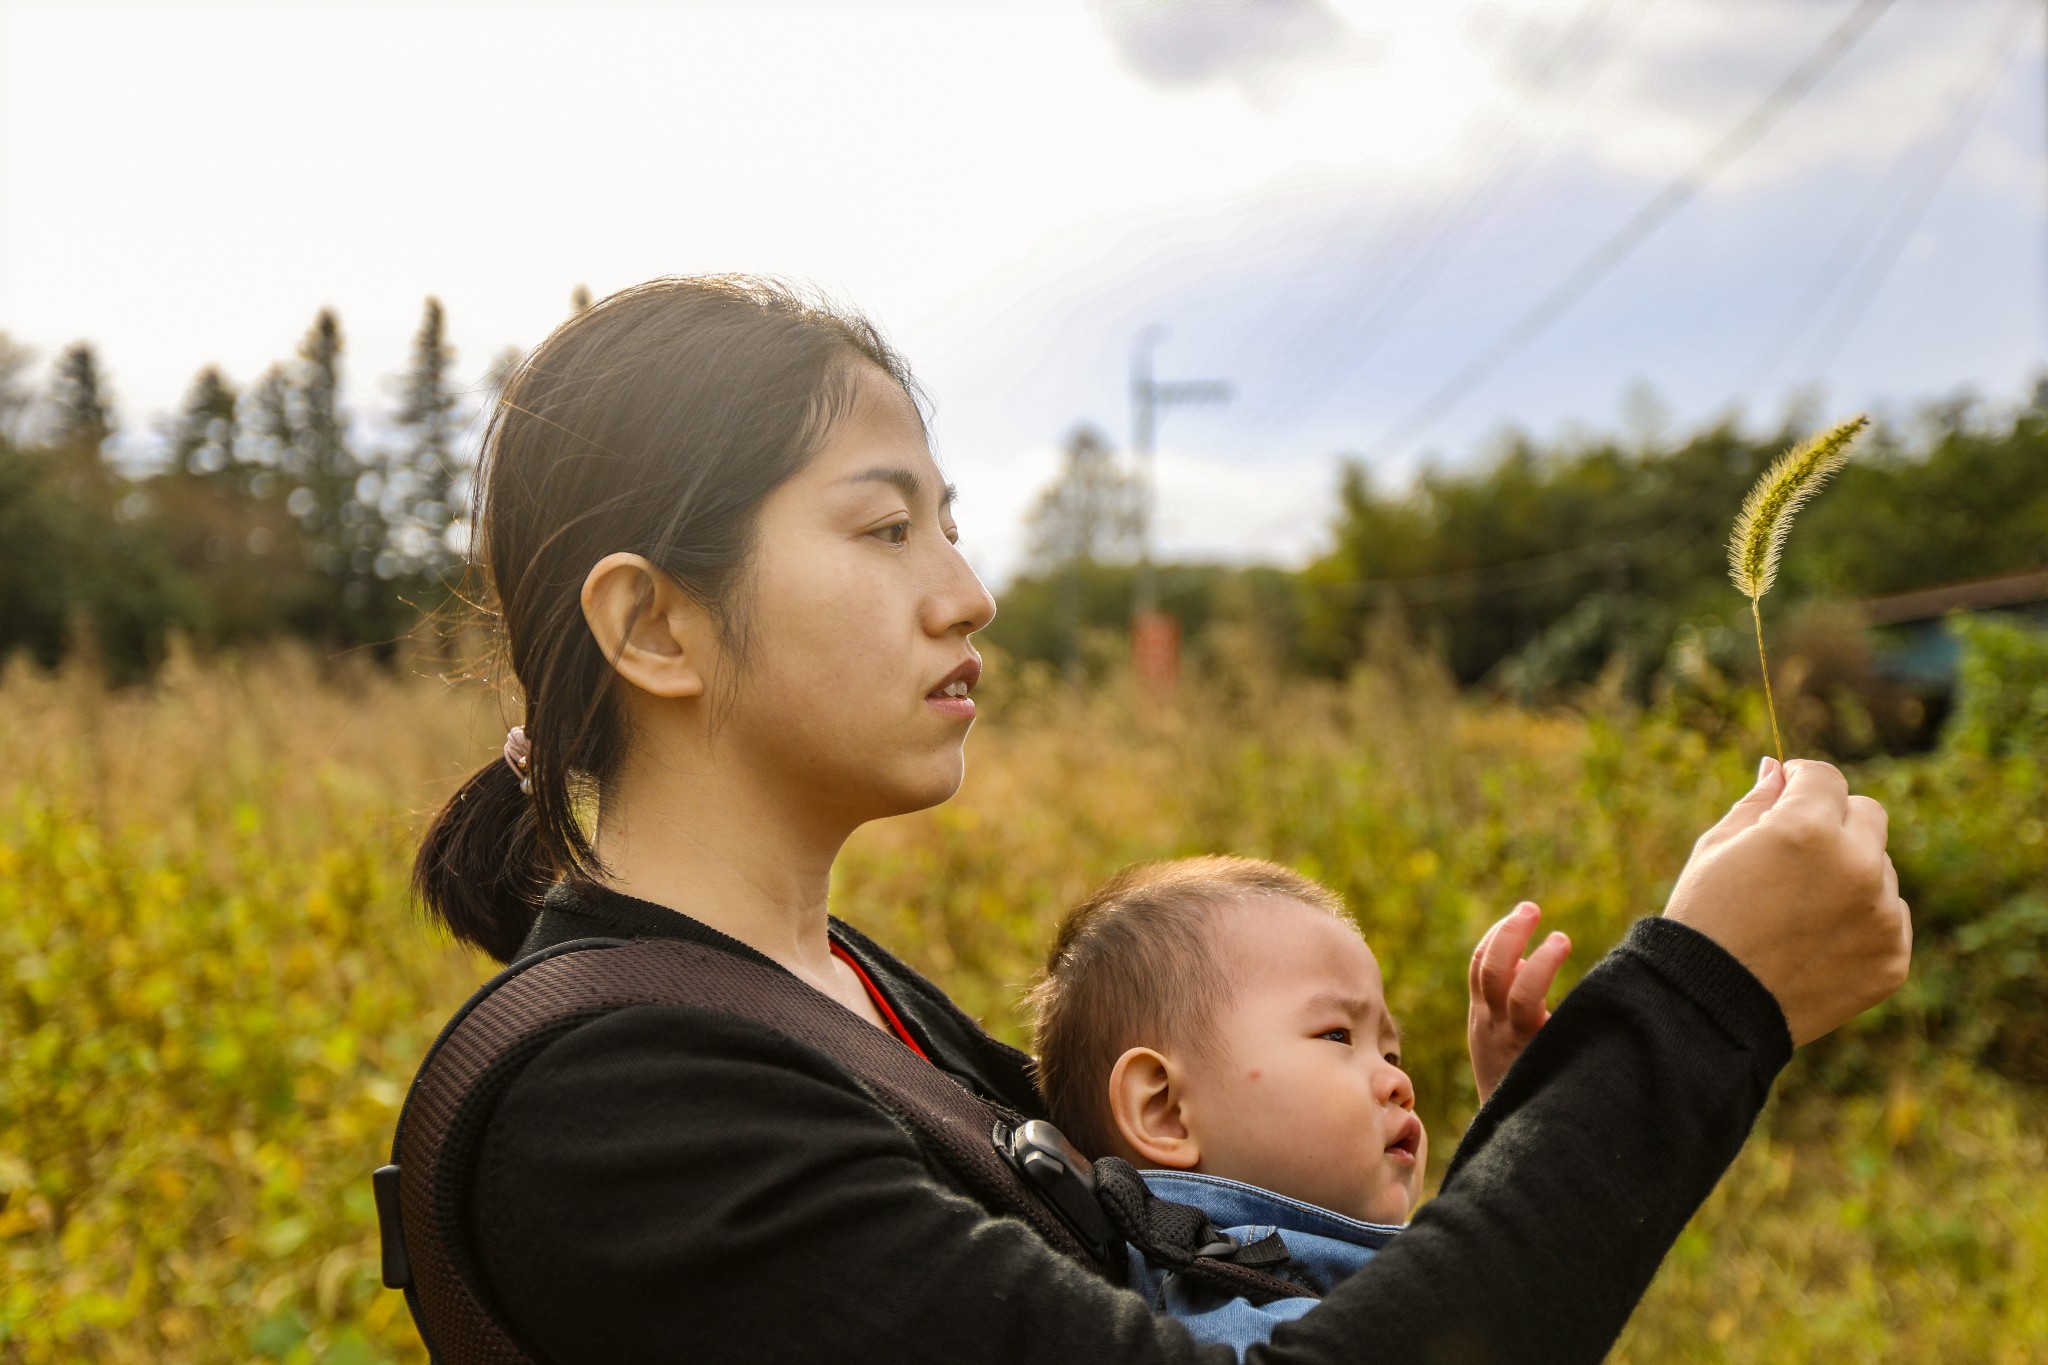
(1322, 1249)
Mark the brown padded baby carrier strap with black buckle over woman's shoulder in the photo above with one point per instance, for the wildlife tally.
(1015, 1165)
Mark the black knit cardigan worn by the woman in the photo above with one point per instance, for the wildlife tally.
(683, 1186)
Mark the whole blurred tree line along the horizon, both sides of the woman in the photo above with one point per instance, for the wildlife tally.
(273, 511)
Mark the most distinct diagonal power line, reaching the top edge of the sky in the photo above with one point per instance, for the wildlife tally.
(1637, 230)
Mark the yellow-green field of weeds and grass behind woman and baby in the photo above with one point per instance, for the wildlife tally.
(212, 994)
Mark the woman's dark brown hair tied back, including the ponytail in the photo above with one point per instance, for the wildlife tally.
(652, 423)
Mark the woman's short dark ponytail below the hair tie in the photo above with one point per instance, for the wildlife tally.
(482, 865)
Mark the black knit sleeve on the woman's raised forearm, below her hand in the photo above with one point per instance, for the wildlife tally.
(1578, 1176)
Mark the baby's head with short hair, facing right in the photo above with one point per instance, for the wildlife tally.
(1224, 1016)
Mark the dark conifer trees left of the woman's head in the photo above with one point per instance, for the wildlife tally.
(265, 513)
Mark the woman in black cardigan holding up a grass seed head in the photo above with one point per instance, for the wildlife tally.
(730, 588)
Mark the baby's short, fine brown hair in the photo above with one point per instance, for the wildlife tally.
(1134, 967)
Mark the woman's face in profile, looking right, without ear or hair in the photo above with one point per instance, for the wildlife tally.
(857, 617)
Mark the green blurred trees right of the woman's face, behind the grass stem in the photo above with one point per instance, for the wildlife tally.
(1551, 562)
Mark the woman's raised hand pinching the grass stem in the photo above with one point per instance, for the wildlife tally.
(1797, 885)
